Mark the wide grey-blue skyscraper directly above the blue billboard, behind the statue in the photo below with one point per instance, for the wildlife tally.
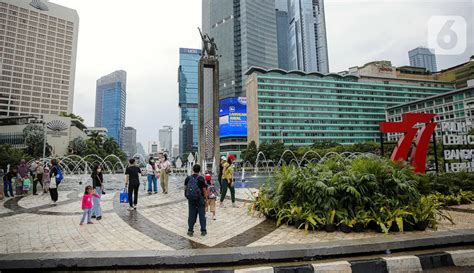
(245, 34)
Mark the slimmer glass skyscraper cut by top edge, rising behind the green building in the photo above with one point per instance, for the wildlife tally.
(307, 49)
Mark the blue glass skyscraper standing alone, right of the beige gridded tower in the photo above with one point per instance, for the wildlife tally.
(110, 102)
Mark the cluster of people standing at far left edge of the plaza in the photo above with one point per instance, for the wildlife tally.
(20, 178)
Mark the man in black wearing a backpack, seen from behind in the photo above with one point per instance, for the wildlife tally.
(196, 193)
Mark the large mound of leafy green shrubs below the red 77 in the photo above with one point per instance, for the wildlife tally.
(348, 192)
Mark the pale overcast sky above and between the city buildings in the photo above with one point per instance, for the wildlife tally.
(143, 38)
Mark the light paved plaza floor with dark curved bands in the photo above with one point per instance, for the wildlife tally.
(32, 224)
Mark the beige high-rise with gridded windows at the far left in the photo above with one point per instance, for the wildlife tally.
(38, 44)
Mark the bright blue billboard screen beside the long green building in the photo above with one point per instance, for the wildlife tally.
(233, 117)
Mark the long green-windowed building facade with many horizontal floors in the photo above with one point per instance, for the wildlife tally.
(301, 108)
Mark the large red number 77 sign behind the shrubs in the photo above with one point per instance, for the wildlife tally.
(423, 135)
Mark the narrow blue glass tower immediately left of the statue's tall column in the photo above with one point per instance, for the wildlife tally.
(188, 93)
